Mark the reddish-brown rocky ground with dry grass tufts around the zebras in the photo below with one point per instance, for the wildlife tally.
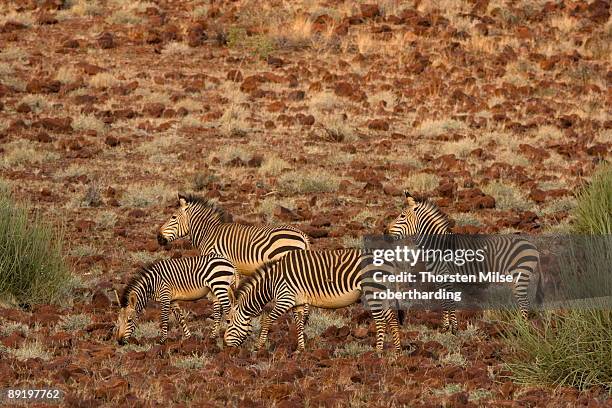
(313, 113)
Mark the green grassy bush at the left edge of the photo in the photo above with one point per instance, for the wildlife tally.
(32, 268)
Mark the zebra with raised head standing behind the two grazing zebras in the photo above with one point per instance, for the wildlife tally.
(247, 246)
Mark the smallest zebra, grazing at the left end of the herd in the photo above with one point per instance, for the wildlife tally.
(170, 280)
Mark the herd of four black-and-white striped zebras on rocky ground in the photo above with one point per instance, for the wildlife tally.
(280, 268)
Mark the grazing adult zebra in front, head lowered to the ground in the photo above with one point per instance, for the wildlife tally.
(325, 279)
